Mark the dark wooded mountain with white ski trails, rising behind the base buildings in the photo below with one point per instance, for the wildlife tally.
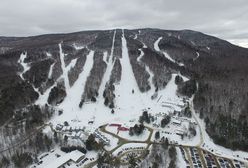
(93, 72)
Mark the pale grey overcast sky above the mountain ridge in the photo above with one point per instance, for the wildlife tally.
(226, 19)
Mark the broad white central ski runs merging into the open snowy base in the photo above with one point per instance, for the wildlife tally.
(129, 101)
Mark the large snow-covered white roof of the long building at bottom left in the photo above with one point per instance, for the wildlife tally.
(74, 156)
